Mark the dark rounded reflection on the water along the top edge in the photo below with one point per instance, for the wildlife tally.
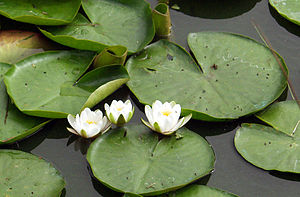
(213, 9)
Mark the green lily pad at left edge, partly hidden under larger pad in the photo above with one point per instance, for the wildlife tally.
(14, 125)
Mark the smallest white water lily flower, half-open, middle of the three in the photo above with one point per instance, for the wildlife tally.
(118, 112)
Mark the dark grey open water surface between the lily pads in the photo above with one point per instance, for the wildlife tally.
(232, 173)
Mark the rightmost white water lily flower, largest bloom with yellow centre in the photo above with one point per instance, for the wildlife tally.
(164, 118)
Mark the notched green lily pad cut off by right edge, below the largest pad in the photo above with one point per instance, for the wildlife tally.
(269, 148)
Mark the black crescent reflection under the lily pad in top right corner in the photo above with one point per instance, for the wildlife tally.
(289, 26)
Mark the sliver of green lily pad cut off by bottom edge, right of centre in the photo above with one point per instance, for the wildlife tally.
(199, 191)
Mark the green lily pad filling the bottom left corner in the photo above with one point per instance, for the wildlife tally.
(23, 174)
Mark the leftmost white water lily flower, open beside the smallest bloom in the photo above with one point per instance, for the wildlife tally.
(89, 123)
